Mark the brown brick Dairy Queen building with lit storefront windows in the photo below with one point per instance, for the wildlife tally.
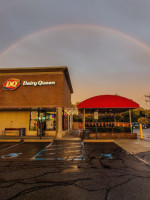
(33, 100)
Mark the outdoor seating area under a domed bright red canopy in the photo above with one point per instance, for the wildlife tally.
(97, 105)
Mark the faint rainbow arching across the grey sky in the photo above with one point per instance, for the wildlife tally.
(62, 27)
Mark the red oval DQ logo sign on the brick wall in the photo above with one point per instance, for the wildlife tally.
(11, 84)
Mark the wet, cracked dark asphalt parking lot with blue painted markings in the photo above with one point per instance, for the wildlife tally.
(72, 170)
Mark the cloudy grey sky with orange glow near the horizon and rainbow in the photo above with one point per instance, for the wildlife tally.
(104, 43)
